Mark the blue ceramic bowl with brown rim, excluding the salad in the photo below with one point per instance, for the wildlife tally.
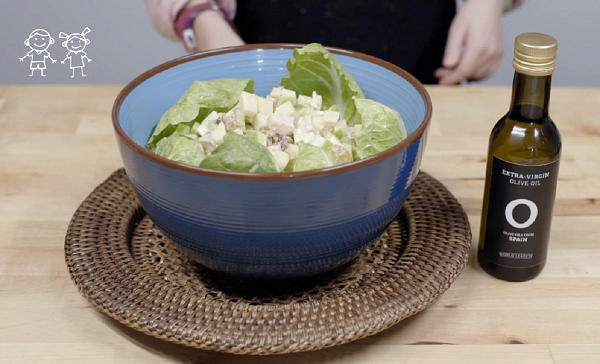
(278, 226)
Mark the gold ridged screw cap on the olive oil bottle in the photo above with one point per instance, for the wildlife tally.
(535, 54)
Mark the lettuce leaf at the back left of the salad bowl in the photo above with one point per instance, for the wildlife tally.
(202, 98)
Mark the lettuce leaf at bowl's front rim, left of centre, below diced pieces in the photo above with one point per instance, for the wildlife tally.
(240, 154)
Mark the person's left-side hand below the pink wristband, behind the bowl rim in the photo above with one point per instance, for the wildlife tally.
(212, 31)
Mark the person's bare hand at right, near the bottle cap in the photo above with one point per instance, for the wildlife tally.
(478, 28)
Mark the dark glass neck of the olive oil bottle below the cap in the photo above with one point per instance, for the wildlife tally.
(531, 97)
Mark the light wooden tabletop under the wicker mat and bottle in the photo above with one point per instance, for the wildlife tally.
(57, 144)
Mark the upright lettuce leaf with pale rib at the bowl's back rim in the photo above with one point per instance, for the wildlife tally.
(314, 68)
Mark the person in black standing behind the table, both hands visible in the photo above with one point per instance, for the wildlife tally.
(428, 38)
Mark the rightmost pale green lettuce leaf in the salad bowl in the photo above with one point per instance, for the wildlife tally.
(382, 128)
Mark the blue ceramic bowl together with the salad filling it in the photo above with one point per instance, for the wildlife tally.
(272, 161)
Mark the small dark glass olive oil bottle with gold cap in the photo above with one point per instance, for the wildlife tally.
(522, 169)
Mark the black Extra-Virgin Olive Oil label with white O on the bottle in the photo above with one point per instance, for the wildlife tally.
(519, 214)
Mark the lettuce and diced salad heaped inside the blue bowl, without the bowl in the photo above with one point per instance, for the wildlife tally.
(317, 117)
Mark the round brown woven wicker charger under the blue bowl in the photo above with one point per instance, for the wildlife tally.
(123, 265)
